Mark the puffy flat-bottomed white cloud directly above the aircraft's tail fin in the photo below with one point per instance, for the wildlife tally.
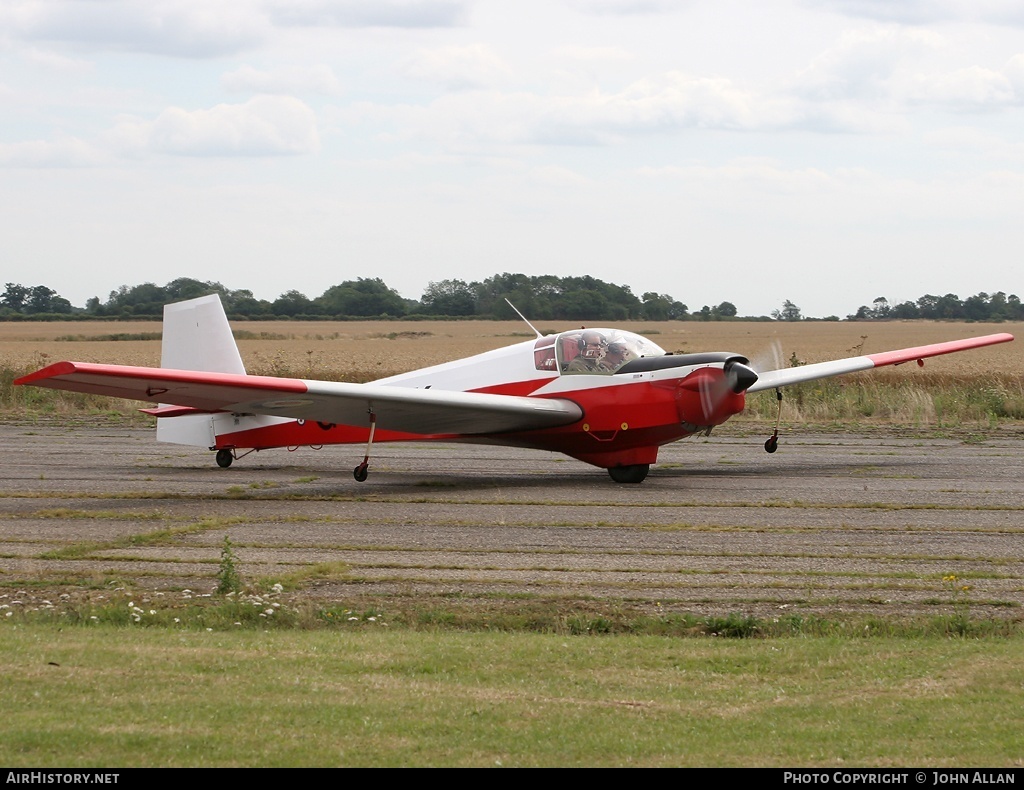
(263, 127)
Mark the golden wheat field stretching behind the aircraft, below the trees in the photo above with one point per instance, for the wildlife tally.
(364, 351)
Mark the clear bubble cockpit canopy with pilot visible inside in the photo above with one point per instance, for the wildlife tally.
(601, 352)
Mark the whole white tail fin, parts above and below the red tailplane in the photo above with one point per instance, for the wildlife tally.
(197, 337)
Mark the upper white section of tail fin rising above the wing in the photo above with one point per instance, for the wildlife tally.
(197, 337)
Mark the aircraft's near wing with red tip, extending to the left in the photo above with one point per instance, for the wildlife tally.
(425, 412)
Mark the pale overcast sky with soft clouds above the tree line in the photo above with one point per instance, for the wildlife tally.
(823, 152)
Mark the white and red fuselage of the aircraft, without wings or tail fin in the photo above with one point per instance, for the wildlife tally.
(623, 419)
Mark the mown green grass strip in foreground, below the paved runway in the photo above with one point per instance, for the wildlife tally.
(117, 698)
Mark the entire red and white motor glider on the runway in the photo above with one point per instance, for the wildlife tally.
(606, 397)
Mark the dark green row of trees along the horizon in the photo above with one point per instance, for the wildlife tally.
(541, 299)
